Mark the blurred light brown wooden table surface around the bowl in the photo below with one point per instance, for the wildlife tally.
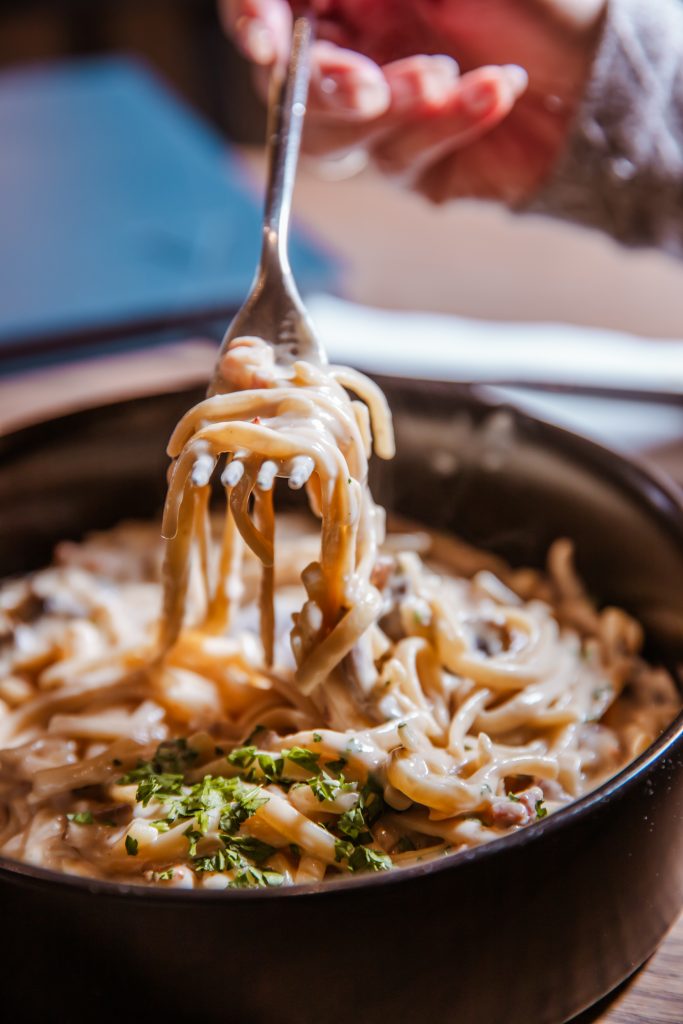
(379, 271)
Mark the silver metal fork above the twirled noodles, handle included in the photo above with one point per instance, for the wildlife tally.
(274, 310)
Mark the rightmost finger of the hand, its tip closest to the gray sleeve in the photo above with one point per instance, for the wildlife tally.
(479, 102)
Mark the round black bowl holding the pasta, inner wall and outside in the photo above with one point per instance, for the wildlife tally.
(529, 930)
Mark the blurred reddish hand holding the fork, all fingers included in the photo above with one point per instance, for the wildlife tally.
(457, 98)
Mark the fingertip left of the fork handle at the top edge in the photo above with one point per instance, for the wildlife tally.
(262, 29)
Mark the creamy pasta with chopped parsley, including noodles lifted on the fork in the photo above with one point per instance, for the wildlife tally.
(252, 710)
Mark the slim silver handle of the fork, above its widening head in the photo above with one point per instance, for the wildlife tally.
(287, 109)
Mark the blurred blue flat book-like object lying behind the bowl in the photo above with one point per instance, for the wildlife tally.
(120, 209)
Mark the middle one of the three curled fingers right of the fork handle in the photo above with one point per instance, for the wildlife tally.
(417, 87)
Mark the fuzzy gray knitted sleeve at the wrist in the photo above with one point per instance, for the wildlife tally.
(623, 168)
